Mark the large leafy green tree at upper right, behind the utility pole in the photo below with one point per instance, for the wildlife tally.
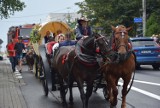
(114, 12)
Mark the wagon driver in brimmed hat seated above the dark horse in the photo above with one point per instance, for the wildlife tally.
(83, 29)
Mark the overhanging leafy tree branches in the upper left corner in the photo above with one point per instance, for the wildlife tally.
(8, 7)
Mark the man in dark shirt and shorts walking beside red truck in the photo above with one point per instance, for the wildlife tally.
(19, 47)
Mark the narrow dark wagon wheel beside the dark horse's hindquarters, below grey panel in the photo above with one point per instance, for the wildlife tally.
(43, 79)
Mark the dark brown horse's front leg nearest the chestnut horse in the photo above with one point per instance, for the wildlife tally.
(89, 90)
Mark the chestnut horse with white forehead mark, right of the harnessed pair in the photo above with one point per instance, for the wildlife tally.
(122, 65)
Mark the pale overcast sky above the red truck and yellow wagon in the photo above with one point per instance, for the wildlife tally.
(35, 12)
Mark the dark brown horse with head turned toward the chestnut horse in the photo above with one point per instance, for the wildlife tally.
(79, 64)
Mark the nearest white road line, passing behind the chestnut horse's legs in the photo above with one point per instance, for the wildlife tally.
(143, 92)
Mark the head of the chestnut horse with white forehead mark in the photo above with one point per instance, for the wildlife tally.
(120, 40)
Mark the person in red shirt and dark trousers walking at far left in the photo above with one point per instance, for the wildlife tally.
(11, 54)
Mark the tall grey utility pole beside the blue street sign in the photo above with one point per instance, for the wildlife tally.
(144, 16)
